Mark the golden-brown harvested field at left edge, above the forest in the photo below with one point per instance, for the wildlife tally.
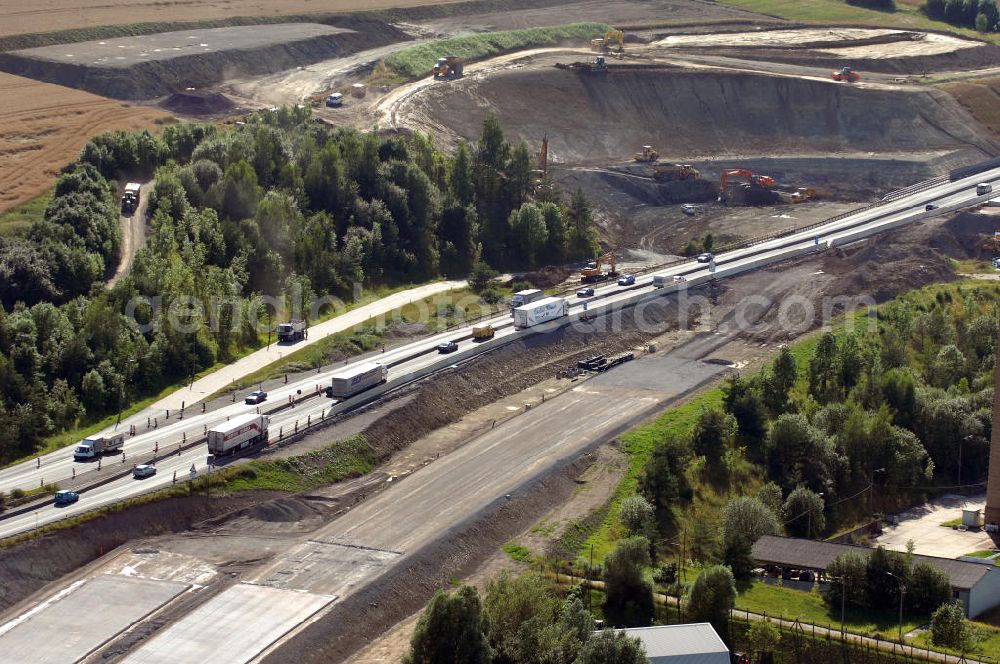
(43, 126)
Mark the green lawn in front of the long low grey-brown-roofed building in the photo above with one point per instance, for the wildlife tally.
(794, 604)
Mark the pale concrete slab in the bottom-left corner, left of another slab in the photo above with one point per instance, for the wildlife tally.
(69, 626)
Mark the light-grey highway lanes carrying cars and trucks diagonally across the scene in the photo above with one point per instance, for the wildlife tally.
(420, 358)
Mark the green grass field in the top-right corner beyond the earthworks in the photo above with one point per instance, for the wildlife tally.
(907, 15)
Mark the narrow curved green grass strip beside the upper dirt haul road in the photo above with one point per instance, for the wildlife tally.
(417, 61)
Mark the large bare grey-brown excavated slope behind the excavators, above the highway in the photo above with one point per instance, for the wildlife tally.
(592, 118)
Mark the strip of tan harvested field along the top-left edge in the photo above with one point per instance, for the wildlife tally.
(51, 15)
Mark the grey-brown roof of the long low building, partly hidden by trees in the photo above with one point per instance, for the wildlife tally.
(815, 555)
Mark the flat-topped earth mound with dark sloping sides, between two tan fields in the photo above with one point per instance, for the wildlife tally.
(150, 76)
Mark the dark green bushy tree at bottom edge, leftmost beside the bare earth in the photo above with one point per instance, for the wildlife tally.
(449, 631)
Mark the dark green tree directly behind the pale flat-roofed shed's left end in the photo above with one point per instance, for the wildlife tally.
(628, 600)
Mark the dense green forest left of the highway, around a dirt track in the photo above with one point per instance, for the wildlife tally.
(279, 207)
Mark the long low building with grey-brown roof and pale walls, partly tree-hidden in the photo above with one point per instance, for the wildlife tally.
(976, 586)
